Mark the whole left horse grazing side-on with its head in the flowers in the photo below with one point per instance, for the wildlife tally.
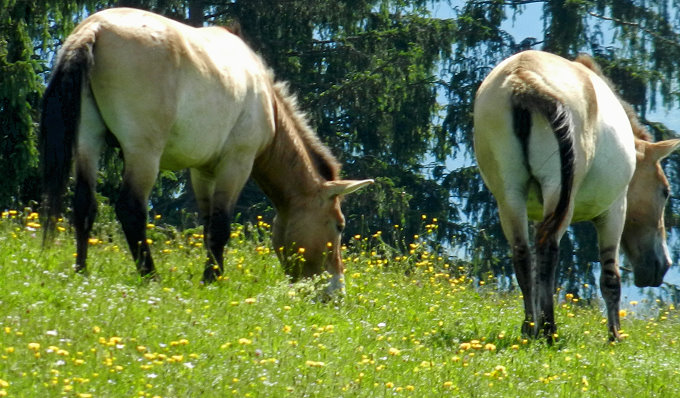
(177, 97)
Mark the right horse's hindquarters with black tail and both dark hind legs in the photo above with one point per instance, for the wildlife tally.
(515, 151)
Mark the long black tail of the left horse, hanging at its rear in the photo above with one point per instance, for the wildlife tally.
(59, 129)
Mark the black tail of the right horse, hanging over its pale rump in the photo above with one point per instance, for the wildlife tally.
(560, 119)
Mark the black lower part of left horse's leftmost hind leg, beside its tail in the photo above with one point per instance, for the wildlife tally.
(84, 212)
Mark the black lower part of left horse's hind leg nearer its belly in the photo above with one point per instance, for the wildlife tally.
(131, 210)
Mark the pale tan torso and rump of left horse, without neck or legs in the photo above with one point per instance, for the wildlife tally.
(185, 94)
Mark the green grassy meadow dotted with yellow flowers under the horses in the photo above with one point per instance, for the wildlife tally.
(410, 325)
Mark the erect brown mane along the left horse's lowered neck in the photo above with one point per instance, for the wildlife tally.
(322, 159)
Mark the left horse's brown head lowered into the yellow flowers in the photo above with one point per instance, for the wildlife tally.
(307, 235)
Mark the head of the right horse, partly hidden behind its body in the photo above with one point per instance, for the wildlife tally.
(644, 234)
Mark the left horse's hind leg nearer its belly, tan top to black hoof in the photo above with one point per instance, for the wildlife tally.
(131, 208)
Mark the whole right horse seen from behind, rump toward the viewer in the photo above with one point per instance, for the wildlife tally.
(555, 144)
